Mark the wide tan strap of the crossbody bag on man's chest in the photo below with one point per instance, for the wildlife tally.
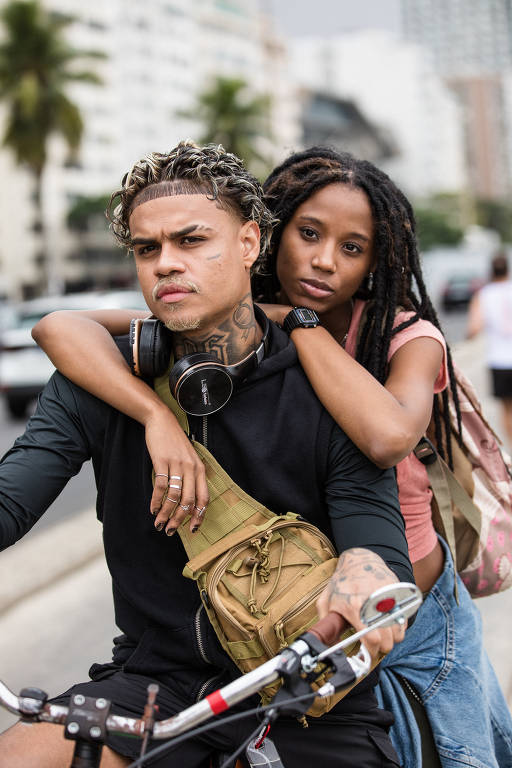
(229, 508)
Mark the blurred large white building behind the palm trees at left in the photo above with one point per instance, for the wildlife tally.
(158, 56)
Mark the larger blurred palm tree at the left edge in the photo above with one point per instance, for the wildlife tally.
(36, 65)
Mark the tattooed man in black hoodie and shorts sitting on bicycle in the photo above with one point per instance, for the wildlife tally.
(193, 219)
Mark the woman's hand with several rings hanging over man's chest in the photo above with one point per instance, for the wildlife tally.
(180, 479)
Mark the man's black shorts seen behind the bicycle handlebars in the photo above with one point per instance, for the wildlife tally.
(333, 741)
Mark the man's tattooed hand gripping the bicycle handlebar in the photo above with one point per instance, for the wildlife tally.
(359, 573)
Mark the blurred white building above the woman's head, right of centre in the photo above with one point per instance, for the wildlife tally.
(395, 86)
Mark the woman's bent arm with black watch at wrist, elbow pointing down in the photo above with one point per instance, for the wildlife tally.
(385, 422)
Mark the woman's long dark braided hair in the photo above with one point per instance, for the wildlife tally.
(398, 281)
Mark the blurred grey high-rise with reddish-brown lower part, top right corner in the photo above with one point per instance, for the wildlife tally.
(470, 42)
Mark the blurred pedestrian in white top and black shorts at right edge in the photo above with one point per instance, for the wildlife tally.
(490, 311)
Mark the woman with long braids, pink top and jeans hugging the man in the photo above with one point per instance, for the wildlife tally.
(345, 247)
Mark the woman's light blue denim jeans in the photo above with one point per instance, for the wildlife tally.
(442, 656)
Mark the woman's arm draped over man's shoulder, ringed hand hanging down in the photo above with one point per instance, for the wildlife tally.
(80, 345)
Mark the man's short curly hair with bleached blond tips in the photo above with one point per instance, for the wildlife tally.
(189, 169)
